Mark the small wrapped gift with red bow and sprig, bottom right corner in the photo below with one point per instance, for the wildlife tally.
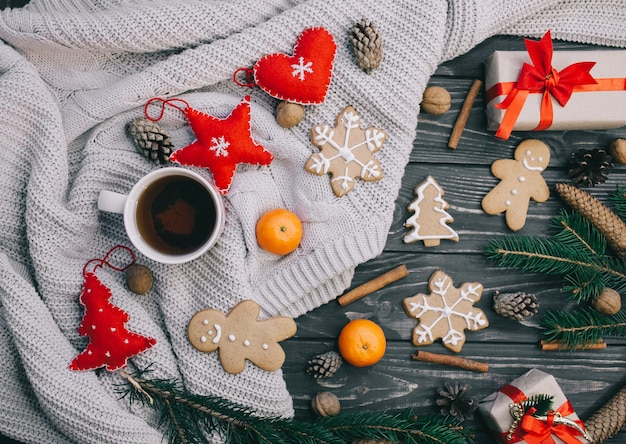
(514, 413)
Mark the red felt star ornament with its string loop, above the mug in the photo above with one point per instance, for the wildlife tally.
(220, 145)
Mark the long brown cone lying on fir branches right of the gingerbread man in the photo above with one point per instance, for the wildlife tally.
(601, 216)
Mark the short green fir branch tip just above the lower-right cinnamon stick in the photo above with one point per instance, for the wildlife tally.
(582, 327)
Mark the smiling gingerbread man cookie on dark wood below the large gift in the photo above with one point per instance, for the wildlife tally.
(521, 181)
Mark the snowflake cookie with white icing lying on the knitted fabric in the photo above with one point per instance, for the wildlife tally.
(346, 152)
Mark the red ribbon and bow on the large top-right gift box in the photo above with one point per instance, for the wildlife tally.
(542, 78)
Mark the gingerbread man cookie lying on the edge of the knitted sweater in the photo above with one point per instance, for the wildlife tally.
(240, 336)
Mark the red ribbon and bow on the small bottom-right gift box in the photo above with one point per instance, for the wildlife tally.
(533, 430)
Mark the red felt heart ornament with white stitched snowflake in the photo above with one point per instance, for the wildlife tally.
(303, 77)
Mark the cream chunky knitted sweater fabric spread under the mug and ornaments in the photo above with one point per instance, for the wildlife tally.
(73, 73)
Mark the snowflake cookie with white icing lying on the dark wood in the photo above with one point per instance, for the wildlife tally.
(446, 312)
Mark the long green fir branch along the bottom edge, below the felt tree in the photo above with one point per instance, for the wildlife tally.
(189, 417)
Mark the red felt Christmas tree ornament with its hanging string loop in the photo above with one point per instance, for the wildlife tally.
(110, 342)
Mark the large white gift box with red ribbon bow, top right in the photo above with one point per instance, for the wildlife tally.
(565, 90)
